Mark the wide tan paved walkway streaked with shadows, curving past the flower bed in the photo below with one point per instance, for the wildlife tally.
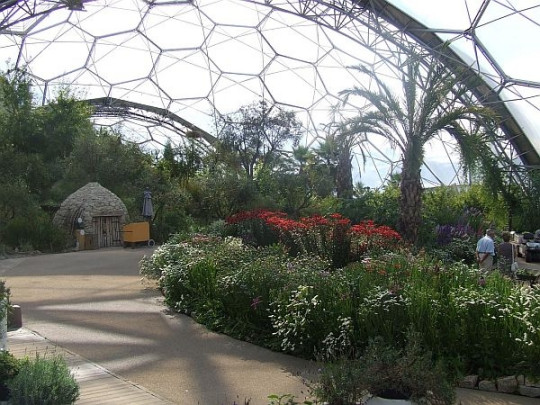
(115, 332)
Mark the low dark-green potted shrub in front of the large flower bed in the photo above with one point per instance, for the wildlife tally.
(385, 374)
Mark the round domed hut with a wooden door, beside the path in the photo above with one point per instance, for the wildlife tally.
(94, 215)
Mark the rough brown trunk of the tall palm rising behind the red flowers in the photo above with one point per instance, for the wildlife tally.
(410, 202)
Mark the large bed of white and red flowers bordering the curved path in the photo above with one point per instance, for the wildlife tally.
(296, 301)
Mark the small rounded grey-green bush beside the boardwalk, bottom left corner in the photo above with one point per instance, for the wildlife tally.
(43, 381)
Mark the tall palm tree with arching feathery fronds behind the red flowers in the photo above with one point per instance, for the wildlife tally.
(432, 101)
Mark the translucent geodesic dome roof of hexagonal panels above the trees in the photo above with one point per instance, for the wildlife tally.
(167, 69)
